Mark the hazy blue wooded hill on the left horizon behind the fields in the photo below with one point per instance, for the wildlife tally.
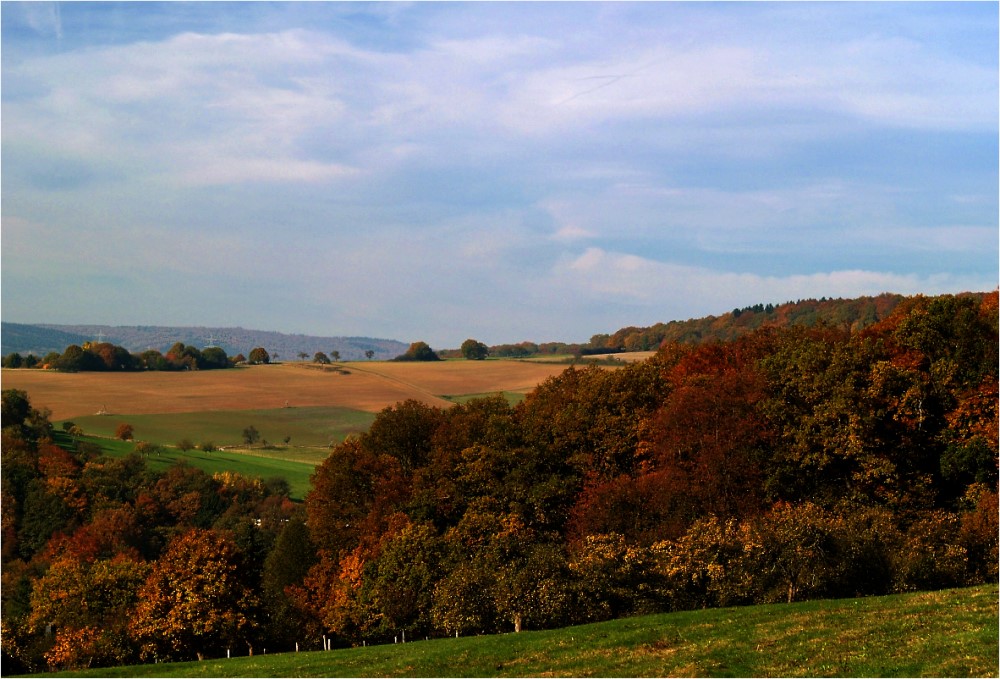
(41, 339)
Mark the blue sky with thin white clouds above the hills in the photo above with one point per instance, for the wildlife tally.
(498, 171)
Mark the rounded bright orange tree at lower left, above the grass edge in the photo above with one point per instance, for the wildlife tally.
(195, 602)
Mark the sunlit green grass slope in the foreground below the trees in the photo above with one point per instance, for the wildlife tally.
(950, 633)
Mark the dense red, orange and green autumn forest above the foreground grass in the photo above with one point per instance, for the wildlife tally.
(786, 464)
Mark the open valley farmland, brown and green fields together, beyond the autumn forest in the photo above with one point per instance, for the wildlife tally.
(311, 406)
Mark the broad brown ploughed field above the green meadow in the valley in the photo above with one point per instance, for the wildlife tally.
(366, 386)
